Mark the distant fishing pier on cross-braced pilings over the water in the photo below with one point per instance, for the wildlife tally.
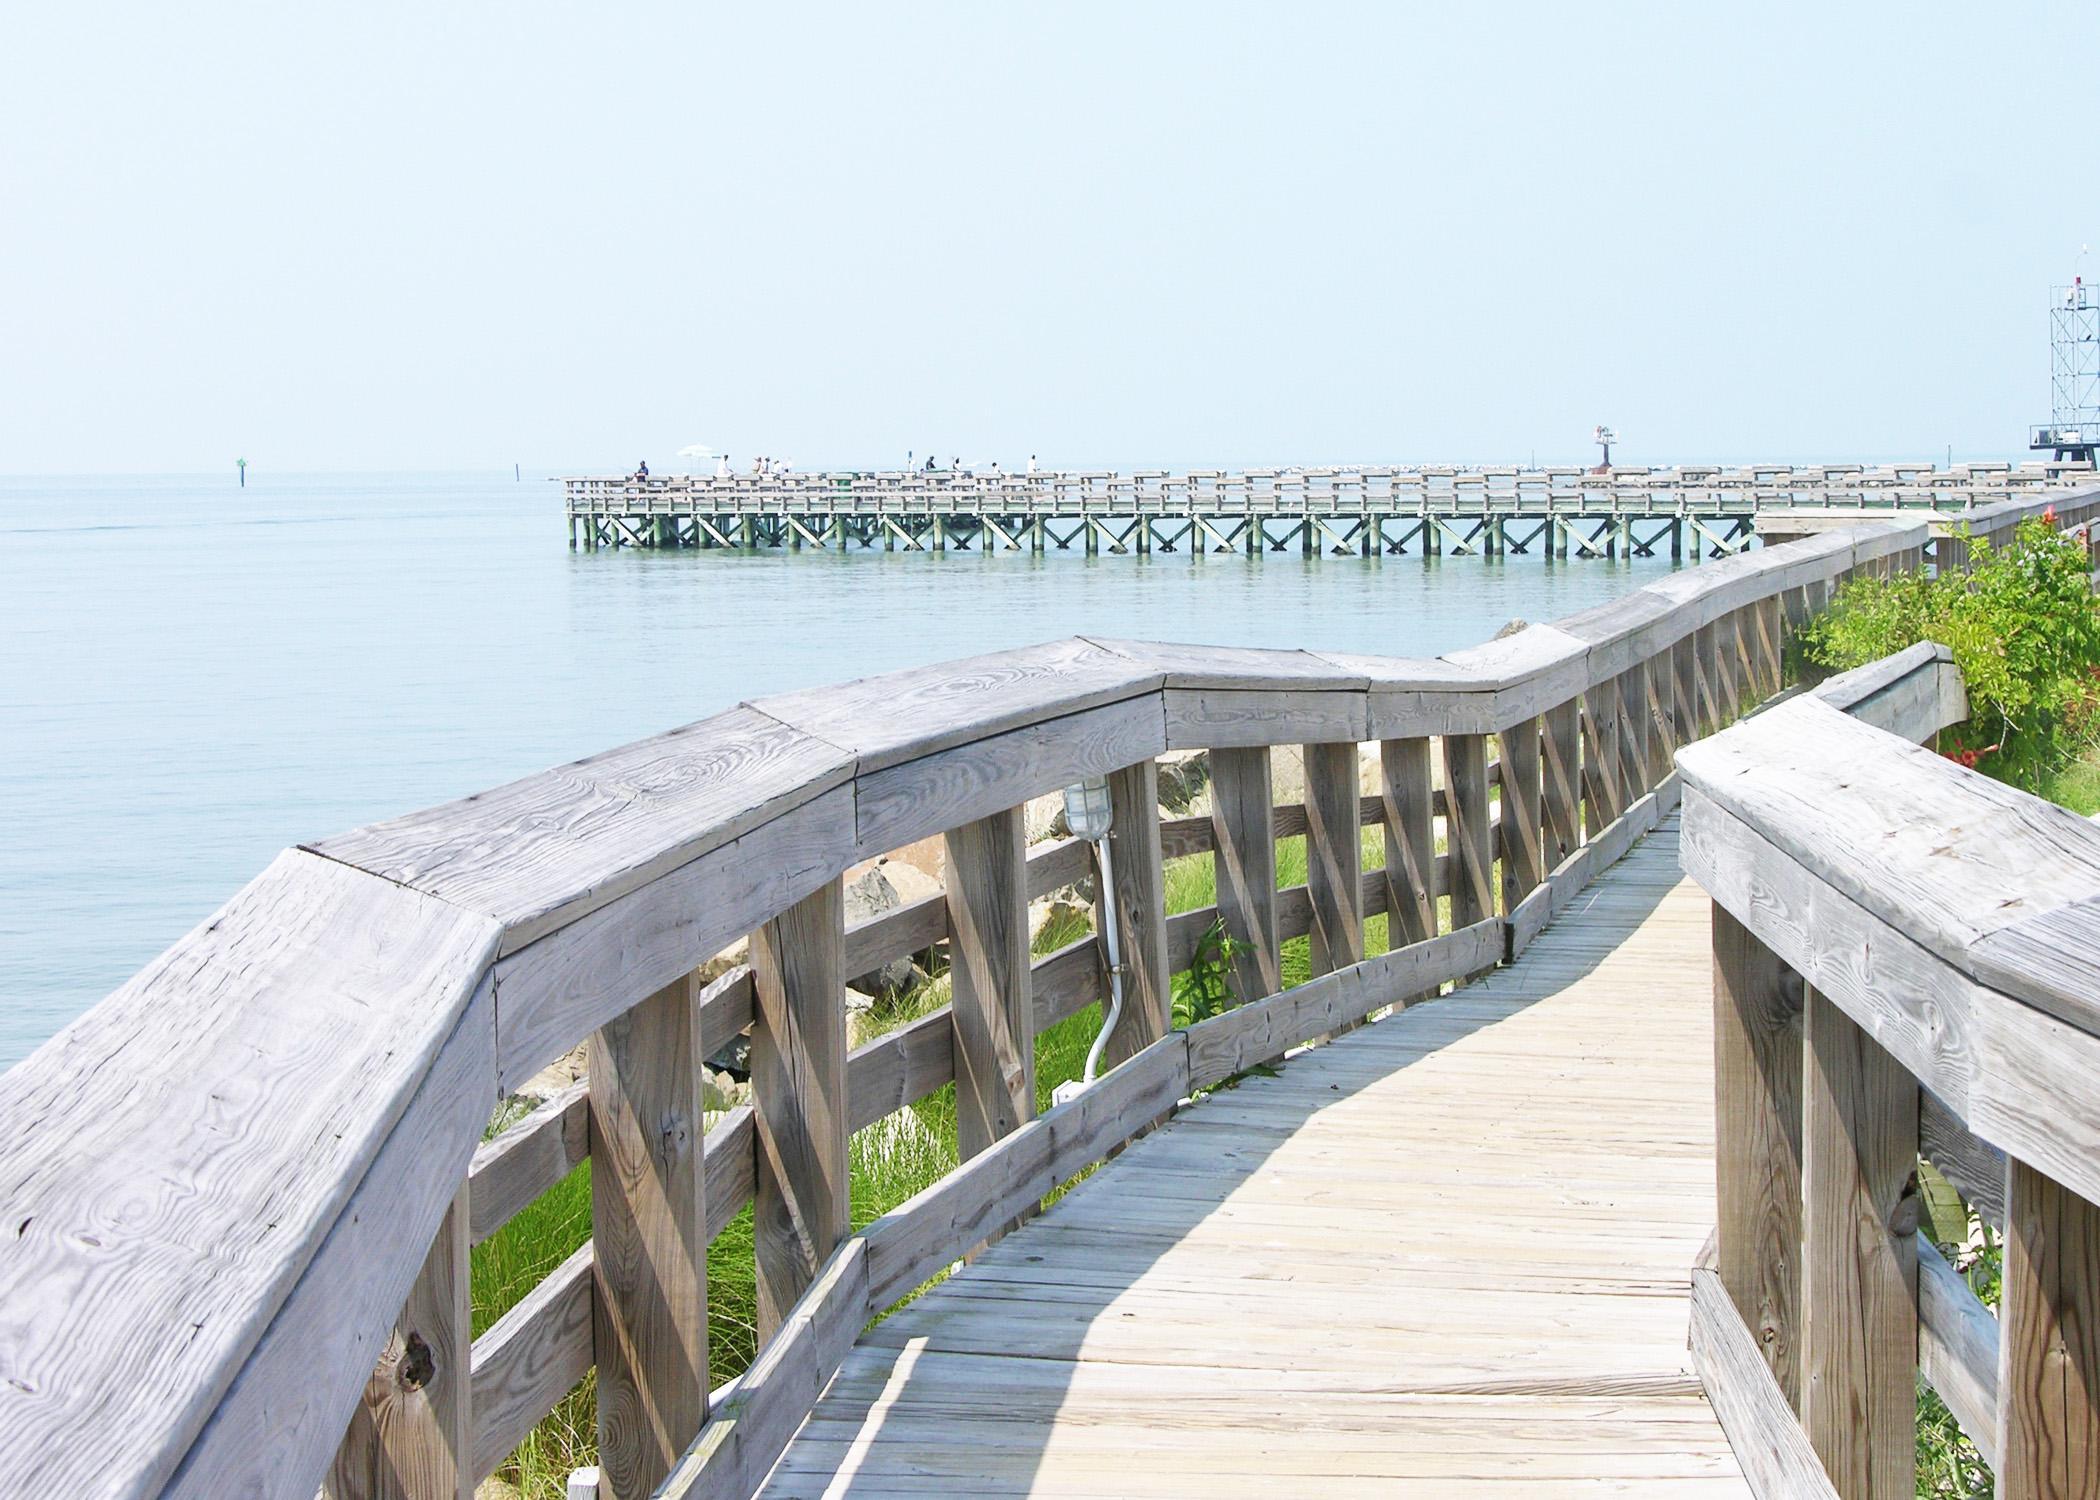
(1551, 514)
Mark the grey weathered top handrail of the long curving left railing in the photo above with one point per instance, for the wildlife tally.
(301, 1085)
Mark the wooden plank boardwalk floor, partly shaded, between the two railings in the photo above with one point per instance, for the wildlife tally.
(1448, 1255)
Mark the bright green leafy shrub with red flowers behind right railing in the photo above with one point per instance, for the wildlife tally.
(2025, 636)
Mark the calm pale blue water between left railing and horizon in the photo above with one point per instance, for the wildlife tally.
(201, 675)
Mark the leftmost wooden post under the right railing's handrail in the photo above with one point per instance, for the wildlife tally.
(1759, 1142)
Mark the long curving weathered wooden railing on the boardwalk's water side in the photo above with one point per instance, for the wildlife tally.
(245, 1188)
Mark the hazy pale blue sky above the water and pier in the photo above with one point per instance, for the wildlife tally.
(398, 236)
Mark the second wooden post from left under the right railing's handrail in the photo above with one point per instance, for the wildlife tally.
(1860, 1259)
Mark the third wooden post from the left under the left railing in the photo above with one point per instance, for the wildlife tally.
(801, 1203)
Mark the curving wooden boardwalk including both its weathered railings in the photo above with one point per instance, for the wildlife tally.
(1559, 1133)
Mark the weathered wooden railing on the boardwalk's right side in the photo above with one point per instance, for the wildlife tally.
(1906, 967)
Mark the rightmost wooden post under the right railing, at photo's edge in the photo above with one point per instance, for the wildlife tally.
(2049, 1394)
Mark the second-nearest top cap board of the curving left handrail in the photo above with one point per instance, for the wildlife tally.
(553, 848)
